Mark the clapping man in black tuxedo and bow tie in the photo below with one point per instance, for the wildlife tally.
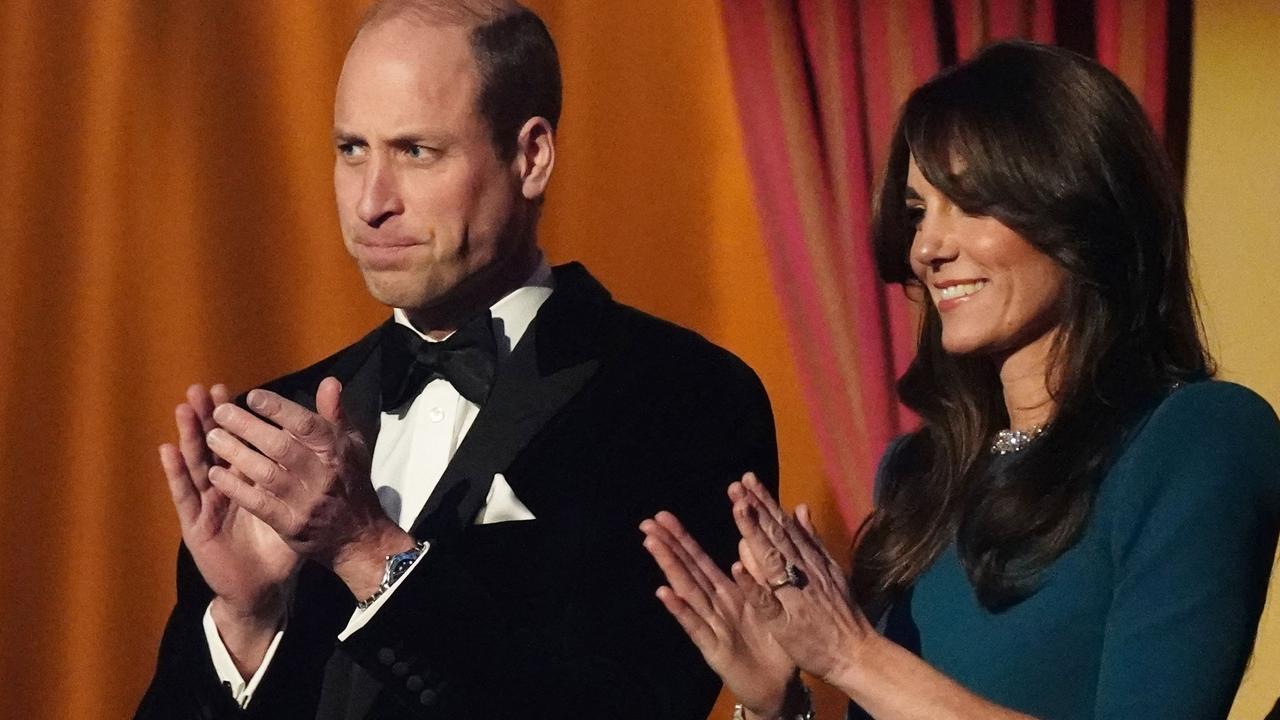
(441, 520)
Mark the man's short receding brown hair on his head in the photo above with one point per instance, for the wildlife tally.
(520, 76)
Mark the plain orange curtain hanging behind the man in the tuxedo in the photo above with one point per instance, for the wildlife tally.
(167, 217)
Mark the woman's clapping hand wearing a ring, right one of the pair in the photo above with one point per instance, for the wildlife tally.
(799, 591)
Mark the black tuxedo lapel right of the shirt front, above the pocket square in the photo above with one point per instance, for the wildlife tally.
(551, 364)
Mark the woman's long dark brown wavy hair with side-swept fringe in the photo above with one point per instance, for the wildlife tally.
(1054, 147)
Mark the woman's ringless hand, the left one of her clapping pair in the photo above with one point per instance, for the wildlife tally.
(715, 613)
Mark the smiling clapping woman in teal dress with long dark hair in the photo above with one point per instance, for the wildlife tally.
(1086, 523)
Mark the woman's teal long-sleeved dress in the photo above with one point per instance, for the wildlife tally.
(1153, 613)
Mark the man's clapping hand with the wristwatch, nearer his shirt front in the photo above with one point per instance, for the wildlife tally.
(309, 481)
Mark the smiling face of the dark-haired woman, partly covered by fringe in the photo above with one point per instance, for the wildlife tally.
(994, 291)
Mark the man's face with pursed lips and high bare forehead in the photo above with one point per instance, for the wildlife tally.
(426, 204)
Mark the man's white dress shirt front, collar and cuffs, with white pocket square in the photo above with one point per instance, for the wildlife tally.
(415, 445)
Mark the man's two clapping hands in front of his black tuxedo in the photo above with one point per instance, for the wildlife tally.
(257, 494)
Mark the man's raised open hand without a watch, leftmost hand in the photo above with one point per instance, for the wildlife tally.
(243, 560)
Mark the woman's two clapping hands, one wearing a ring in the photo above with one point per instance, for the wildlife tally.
(788, 605)
